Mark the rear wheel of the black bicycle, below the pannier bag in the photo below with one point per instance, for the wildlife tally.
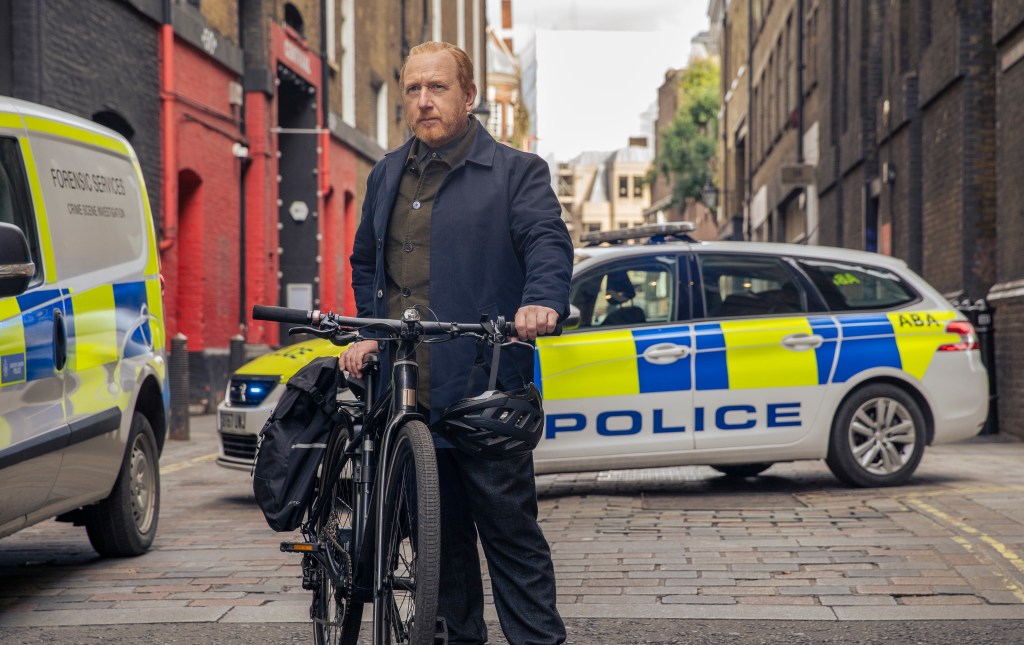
(336, 617)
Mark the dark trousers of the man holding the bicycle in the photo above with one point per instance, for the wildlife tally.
(498, 501)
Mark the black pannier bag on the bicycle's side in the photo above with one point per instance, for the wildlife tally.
(293, 441)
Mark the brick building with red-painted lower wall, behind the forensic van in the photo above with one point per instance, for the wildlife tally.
(257, 124)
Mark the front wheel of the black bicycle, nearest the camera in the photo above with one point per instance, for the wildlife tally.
(411, 550)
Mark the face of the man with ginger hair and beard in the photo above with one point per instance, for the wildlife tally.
(436, 105)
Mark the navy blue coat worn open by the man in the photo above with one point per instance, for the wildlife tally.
(497, 243)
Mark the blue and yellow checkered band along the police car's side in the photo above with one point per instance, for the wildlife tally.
(739, 355)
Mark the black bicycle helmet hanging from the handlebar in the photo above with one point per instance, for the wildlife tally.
(496, 425)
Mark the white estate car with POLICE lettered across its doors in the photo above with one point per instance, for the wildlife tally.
(739, 356)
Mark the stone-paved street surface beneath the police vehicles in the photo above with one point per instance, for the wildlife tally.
(676, 543)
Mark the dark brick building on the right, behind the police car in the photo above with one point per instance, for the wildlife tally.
(874, 125)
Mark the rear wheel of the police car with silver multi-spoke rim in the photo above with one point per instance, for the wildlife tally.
(878, 438)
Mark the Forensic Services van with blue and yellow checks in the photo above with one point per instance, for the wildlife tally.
(83, 374)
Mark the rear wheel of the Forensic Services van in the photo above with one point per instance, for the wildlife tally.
(125, 524)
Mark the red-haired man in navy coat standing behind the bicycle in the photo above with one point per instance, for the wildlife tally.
(458, 224)
